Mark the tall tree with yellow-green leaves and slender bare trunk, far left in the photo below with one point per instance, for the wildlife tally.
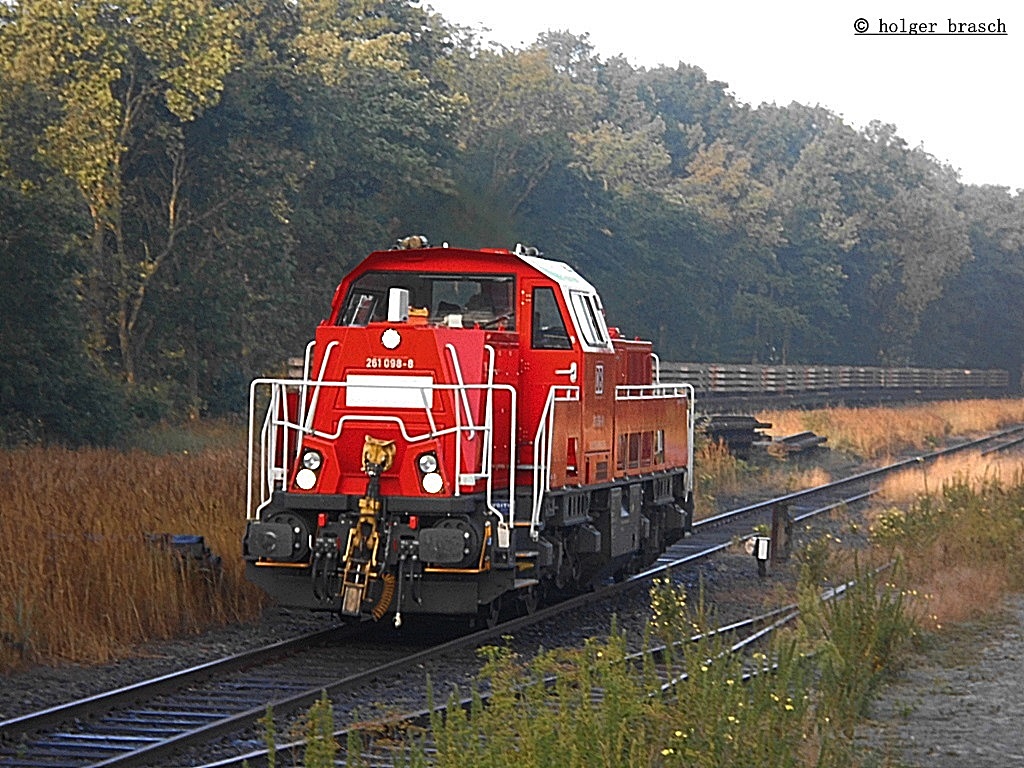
(123, 76)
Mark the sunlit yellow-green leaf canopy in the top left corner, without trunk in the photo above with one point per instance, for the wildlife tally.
(103, 68)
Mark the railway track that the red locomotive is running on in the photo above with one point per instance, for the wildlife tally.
(150, 722)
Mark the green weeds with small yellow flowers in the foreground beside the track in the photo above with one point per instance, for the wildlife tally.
(595, 707)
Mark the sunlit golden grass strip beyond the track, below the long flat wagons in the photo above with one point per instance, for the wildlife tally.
(883, 433)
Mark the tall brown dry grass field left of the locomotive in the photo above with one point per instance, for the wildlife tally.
(81, 582)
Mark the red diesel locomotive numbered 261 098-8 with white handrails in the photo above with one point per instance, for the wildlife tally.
(467, 434)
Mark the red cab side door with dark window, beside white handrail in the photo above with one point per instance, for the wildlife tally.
(551, 376)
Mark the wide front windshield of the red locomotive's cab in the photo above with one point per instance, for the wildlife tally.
(454, 301)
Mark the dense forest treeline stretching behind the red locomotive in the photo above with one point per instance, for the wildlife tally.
(183, 184)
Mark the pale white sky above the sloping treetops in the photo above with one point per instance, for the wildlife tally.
(957, 96)
